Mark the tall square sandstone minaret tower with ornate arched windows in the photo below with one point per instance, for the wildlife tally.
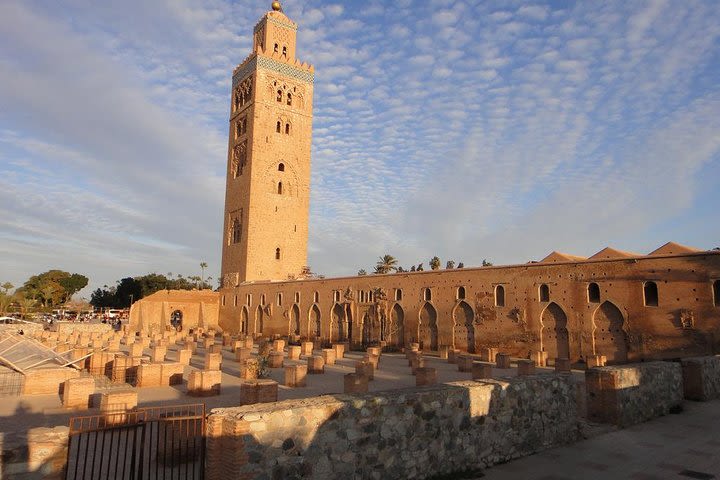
(267, 196)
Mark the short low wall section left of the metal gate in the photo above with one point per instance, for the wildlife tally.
(36, 453)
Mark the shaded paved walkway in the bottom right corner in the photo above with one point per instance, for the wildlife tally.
(684, 446)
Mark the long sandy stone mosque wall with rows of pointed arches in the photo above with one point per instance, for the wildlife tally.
(675, 318)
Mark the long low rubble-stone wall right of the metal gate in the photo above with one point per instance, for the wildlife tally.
(413, 433)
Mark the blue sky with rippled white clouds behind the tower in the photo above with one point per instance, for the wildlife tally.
(466, 129)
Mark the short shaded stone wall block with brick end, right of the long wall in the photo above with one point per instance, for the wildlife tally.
(630, 394)
